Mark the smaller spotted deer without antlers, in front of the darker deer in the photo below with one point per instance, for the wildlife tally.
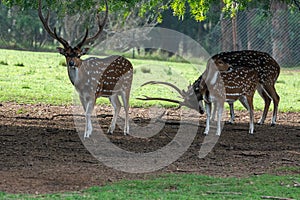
(217, 87)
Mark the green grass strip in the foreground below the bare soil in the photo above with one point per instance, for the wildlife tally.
(187, 186)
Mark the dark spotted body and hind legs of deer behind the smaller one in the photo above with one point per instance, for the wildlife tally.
(268, 71)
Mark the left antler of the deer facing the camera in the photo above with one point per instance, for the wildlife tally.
(45, 22)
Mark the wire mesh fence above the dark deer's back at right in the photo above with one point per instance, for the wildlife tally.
(277, 35)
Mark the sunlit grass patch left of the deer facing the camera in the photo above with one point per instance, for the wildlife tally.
(33, 78)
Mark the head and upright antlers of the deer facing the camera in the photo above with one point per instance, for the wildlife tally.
(72, 54)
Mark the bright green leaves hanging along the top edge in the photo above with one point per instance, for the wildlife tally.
(197, 8)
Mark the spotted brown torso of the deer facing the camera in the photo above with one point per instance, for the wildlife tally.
(103, 77)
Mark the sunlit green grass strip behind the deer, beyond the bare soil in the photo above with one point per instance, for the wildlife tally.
(34, 78)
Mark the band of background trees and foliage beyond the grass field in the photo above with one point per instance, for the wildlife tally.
(259, 25)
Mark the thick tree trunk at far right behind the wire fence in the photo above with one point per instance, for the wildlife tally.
(280, 34)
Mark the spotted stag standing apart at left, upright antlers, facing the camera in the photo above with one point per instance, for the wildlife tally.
(94, 77)
